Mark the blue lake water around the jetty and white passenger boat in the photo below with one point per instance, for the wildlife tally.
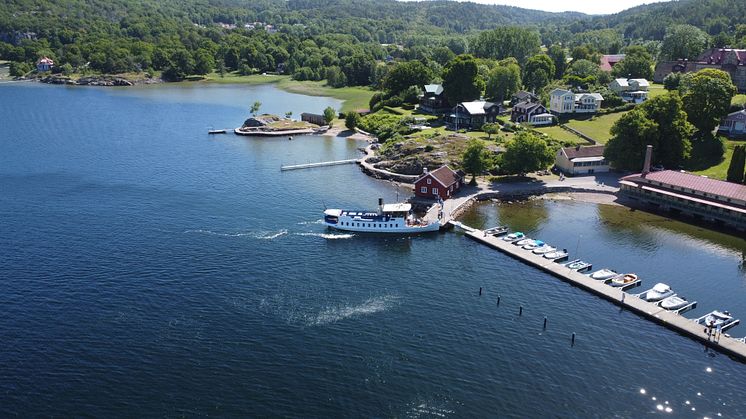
(150, 270)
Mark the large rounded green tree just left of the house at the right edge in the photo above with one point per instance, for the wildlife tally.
(707, 95)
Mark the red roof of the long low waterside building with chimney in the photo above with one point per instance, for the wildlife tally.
(694, 182)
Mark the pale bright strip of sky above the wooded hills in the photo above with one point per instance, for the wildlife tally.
(584, 6)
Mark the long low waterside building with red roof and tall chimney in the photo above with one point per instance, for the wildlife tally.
(688, 194)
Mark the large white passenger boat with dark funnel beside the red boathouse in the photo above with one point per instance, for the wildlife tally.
(390, 218)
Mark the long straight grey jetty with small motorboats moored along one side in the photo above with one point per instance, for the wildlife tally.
(676, 322)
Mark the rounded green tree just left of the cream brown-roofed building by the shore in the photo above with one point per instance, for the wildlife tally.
(527, 152)
